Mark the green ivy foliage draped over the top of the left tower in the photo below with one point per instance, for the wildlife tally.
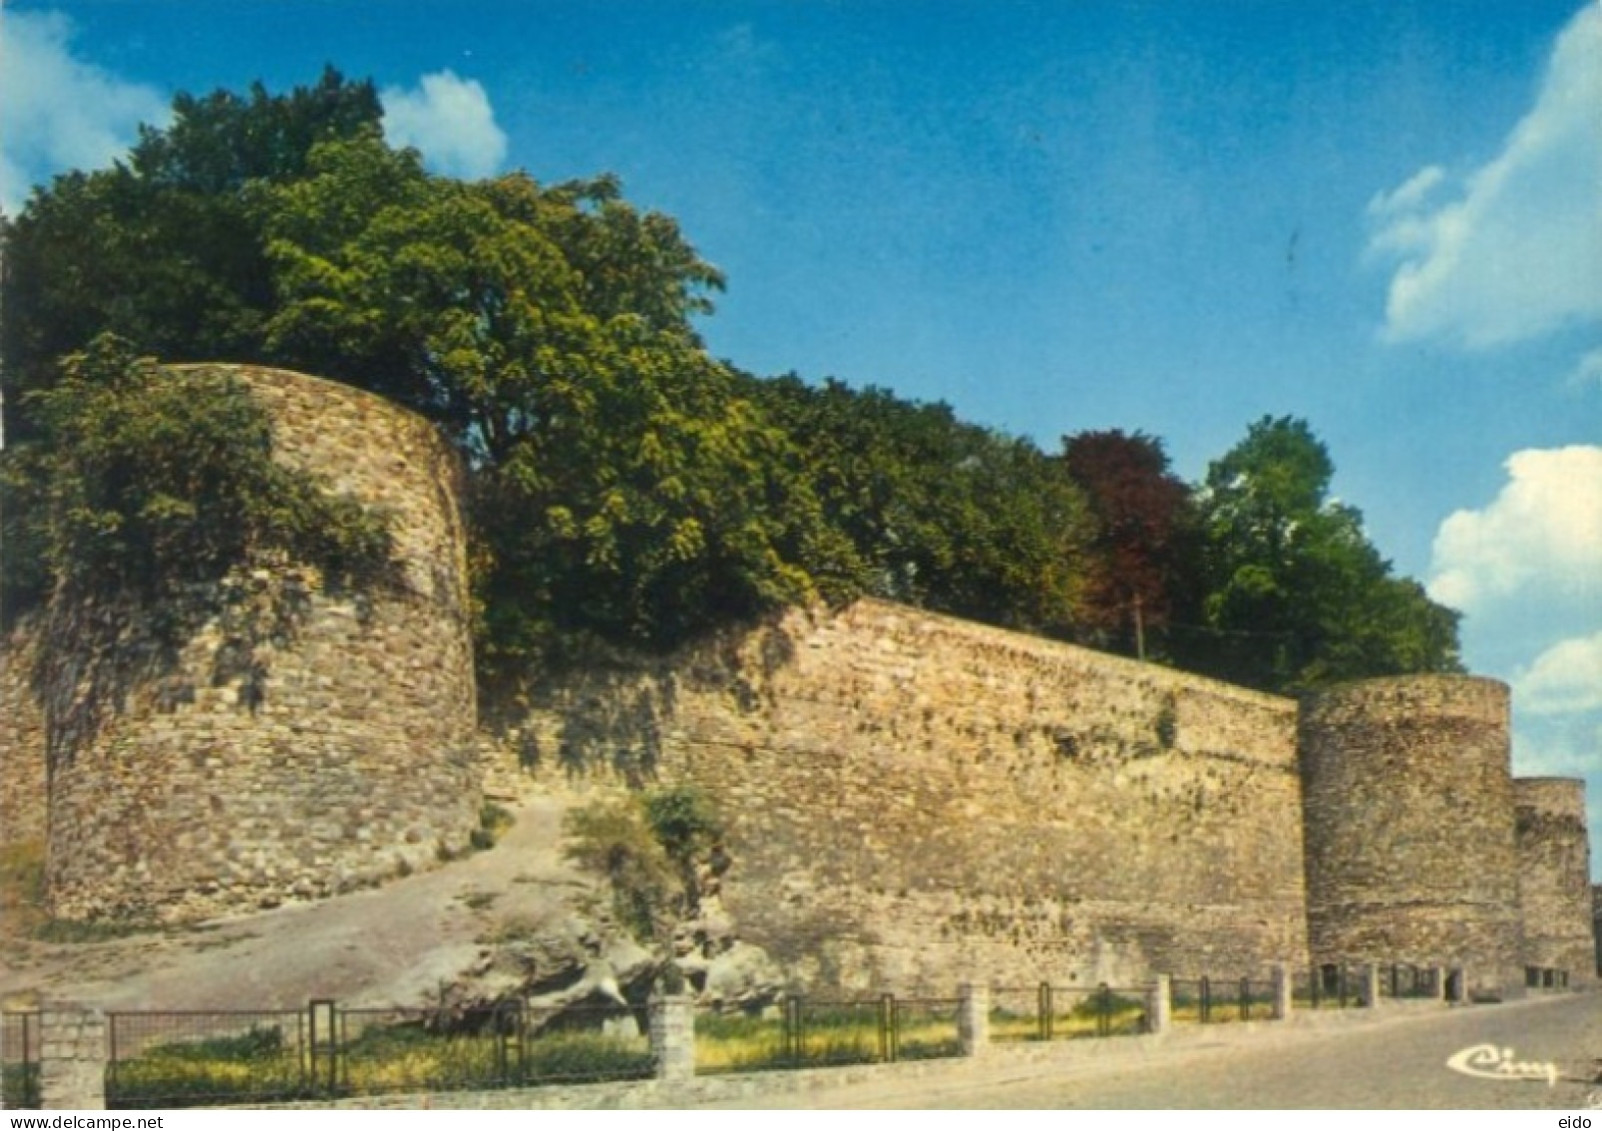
(155, 480)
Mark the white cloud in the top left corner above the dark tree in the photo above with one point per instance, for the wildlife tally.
(58, 113)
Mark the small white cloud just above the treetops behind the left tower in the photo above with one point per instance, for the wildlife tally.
(448, 119)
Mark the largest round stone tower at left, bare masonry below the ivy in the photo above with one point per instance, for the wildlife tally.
(296, 741)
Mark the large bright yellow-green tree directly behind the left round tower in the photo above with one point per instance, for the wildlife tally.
(621, 486)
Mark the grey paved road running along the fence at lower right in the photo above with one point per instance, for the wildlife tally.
(1395, 1063)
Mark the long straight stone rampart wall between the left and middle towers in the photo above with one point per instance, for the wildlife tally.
(914, 799)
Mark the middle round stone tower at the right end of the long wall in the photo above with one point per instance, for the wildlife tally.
(1409, 827)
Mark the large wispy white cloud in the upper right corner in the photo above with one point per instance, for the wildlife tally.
(1518, 249)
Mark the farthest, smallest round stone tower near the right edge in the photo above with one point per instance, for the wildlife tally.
(1555, 880)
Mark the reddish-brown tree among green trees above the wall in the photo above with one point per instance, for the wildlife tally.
(1143, 536)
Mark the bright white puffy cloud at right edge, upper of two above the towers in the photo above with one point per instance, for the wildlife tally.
(1540, 539)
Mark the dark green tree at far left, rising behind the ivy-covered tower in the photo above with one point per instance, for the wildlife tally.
(163, 249)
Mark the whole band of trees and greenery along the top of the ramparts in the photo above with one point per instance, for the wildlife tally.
(624, 486)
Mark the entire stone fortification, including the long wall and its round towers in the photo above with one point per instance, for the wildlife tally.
(912, 799)
